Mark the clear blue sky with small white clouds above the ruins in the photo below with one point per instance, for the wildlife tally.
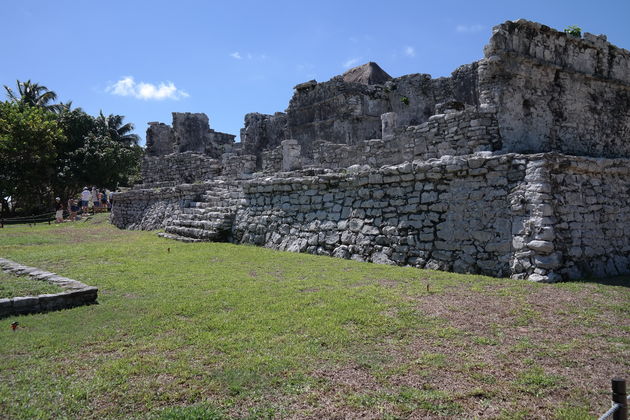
(145, 59)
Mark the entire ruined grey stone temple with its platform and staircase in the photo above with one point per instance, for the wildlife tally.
(516, 165)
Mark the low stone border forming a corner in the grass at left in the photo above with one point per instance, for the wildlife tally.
(77, 293)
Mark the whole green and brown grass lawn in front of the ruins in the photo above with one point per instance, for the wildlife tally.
(217, 331)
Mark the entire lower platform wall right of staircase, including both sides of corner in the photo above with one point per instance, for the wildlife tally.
(544, 217)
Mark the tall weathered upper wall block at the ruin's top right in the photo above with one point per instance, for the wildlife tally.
(556, 92)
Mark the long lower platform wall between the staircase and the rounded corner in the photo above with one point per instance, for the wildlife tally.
(450, 214)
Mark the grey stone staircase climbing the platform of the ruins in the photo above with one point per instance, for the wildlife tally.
(210, 218)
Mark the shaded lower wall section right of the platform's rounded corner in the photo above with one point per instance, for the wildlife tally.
(592, 230)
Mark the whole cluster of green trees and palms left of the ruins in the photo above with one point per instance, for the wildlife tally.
(51, 149)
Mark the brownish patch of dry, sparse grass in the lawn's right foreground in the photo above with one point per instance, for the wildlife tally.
(498, 334)
